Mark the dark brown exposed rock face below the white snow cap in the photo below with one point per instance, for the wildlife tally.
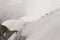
(5, 33)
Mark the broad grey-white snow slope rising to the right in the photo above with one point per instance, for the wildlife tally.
(46, 28)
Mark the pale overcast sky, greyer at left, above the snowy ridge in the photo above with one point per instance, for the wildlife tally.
(34, 9)
